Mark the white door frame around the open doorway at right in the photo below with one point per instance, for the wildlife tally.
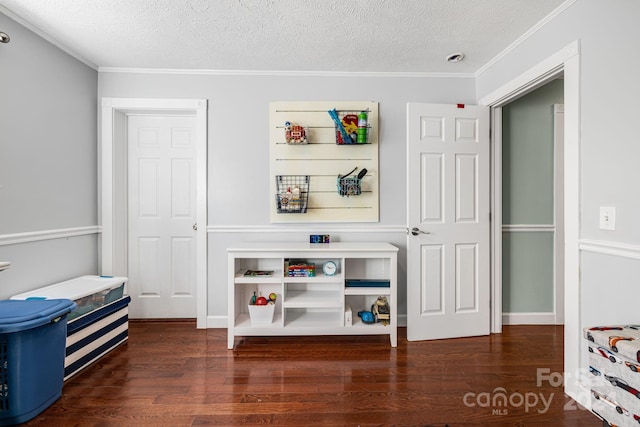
(566, 62)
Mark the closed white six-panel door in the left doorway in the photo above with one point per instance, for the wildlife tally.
(162, 216)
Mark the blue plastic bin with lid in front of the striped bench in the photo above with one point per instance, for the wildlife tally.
(32, 350)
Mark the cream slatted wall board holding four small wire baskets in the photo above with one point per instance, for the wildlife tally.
(322, 159)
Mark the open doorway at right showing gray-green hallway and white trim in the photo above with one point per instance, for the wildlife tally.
(532, 207)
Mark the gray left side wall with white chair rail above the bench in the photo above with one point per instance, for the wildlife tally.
(48, 179)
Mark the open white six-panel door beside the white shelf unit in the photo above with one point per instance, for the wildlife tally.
(448, 216)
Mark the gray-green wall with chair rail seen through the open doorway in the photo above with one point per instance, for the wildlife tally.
(527, 199)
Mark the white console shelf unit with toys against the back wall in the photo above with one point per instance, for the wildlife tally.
(312, 305)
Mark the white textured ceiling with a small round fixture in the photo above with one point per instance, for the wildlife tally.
(403, 36)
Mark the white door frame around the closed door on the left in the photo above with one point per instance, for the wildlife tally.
(113, 181)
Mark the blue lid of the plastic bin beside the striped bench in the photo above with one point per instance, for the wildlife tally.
(16, 315)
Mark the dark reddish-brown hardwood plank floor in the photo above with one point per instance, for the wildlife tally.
(171, 374)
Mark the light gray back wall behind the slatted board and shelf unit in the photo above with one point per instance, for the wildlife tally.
(239, 151)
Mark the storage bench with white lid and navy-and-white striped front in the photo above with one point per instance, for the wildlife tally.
(100, 321)
